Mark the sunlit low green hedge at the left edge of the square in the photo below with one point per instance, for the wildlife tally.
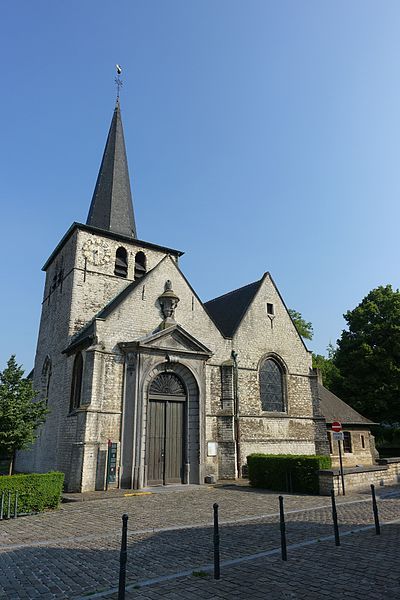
(36, 491)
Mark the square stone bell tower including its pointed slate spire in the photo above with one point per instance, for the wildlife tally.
(91, 265)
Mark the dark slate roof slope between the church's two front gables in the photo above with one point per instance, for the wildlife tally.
(228, 310)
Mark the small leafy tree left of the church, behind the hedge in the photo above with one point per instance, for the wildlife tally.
(20, 416)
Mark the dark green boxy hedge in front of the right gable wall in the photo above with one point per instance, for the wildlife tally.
(287, 472)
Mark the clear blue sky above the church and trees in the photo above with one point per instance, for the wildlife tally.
(261, 136)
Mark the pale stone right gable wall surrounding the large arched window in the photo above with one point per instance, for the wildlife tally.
(260, 335)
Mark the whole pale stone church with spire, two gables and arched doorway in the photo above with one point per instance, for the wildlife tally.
(128, 353)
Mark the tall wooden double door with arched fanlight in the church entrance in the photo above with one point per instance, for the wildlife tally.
(165, 450)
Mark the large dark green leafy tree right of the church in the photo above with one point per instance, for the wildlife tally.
(368, 356)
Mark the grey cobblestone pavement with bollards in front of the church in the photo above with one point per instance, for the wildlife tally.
(74, 552)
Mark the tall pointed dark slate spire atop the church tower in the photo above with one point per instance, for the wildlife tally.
(111, 207)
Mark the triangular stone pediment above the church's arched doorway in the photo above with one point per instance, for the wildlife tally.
(173, 338)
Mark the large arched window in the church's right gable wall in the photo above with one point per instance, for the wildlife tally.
(272, 393)
